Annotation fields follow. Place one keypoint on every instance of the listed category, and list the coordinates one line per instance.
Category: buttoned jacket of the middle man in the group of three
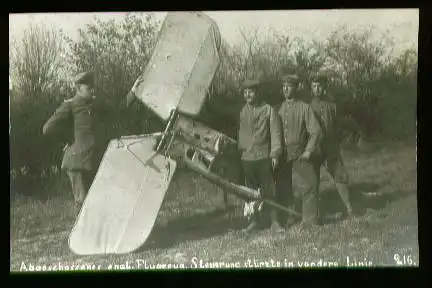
(301, 129)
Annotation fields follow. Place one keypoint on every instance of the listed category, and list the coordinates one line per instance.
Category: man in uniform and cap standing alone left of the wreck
(78, 159)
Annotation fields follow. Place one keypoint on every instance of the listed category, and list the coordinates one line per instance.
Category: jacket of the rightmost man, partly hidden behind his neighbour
(327, 116)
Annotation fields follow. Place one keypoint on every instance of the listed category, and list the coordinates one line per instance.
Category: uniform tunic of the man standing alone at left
(80, 154)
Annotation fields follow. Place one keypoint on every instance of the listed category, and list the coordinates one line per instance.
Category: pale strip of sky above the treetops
(402, 24)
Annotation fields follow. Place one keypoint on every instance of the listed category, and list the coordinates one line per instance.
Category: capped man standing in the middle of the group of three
(301, 135)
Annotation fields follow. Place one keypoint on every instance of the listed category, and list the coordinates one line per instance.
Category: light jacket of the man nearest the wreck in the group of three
(260, 133)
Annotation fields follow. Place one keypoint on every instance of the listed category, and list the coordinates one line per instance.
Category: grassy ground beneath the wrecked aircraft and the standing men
(194, 228)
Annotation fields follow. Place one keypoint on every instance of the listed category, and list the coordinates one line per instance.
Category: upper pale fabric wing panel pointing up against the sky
(182, 65)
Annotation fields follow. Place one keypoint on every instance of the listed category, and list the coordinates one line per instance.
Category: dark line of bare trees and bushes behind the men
(375, 91)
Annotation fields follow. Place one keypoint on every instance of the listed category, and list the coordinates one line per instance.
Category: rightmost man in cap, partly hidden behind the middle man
(331, 158)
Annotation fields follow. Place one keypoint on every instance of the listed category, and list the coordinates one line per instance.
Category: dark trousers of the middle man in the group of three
(306, 200)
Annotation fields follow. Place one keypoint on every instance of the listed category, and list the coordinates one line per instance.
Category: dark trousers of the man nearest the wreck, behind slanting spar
(259, 175)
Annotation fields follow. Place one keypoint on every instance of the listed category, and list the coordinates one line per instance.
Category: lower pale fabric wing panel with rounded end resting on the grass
(123, 202)
